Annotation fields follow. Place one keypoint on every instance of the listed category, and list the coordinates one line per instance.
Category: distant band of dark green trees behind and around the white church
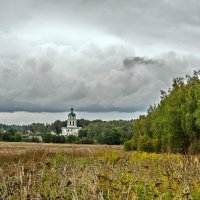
(92, 132)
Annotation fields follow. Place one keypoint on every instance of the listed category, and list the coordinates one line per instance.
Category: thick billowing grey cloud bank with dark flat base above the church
(53, 78)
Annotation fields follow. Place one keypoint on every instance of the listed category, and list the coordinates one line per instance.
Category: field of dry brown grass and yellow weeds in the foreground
(50, 171)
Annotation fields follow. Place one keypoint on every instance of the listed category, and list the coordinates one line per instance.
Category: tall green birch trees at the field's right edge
(174, 124)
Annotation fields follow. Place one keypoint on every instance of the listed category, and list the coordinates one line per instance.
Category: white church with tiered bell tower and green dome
(71, 128)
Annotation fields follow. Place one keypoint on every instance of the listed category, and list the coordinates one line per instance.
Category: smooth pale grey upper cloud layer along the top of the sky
(173, 24)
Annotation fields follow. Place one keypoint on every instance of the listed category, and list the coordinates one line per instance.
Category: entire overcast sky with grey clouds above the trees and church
(108, 59)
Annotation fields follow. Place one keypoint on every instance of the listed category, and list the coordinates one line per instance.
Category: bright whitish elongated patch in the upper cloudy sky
(65, 35)
